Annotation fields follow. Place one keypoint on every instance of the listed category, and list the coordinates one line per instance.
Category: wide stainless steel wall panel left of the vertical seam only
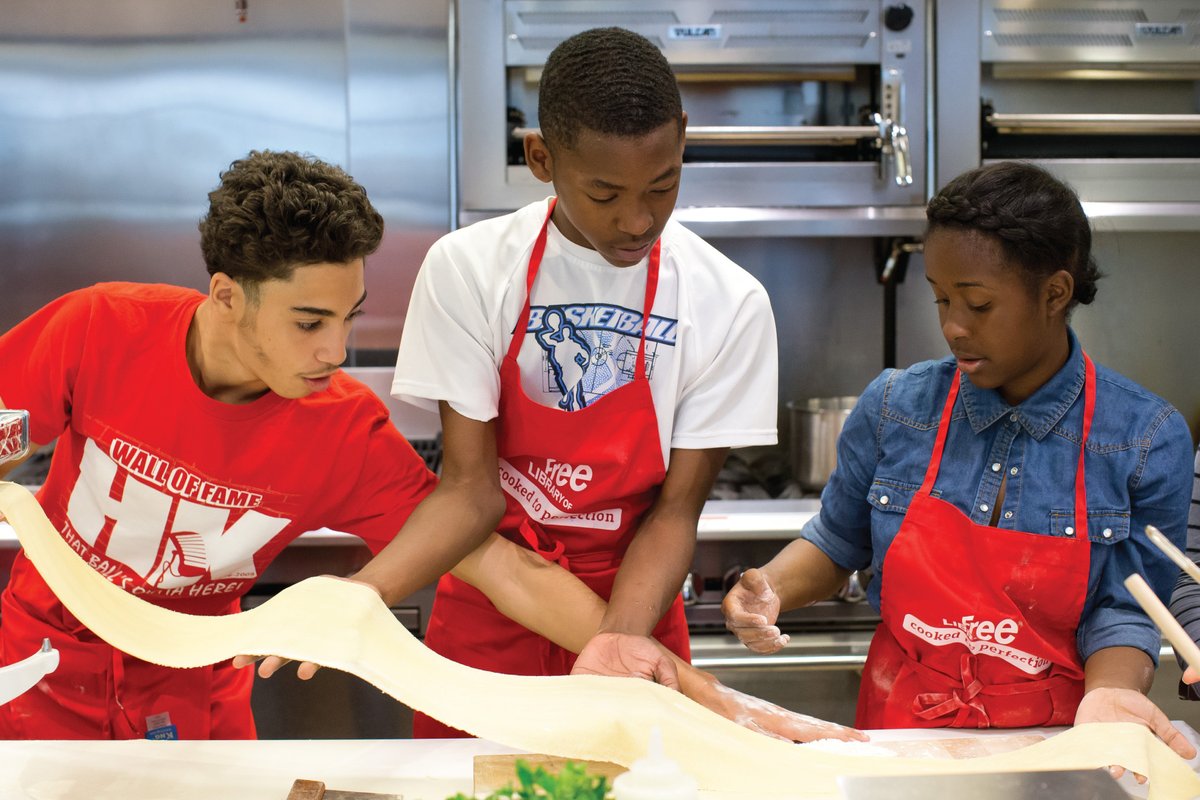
(116, 121)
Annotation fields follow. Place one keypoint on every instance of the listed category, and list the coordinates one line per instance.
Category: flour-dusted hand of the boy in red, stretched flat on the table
(761, 717)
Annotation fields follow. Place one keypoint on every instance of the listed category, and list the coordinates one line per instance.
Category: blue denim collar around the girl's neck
(1042, 411)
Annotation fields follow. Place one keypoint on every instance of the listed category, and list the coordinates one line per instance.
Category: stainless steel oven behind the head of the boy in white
(790, 103)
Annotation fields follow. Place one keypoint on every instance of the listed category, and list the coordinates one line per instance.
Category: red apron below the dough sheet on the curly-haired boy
(99, 693)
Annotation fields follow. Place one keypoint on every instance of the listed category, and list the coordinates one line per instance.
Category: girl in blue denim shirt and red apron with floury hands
(1000, 495)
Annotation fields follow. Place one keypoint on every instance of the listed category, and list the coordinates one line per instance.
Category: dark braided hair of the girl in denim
(1037, 220)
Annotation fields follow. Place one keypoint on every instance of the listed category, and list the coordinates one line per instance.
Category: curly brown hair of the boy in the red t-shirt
(275, 212)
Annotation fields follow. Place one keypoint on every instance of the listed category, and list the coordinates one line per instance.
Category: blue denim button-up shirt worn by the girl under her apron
(1138, 472)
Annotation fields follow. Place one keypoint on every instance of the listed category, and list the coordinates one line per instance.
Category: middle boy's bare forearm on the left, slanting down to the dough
(452, 522)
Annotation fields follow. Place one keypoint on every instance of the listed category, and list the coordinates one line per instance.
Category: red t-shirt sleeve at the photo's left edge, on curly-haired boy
(40, 360)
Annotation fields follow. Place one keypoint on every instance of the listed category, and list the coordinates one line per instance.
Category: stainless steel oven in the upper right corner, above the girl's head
(1105, 94)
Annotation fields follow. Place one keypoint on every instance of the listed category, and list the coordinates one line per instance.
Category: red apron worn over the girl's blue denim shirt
(979, 624)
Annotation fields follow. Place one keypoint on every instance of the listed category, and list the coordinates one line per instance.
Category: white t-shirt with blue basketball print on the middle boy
(711, 347)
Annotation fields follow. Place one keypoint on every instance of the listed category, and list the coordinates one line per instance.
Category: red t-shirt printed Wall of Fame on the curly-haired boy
(175, 496)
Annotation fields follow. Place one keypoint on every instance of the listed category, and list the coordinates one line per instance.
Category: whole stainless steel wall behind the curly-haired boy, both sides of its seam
(117, 118)
